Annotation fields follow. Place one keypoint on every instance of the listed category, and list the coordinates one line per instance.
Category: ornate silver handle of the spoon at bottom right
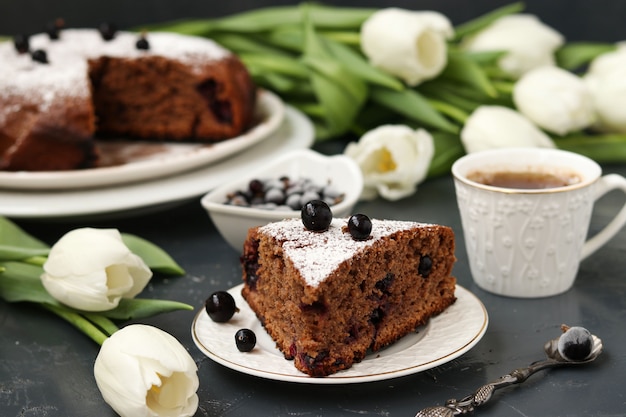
(466, 405)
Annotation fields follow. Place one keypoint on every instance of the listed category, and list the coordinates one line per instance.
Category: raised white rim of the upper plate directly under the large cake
(269, 105)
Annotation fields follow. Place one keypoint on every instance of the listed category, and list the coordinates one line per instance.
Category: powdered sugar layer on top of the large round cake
(66, 73)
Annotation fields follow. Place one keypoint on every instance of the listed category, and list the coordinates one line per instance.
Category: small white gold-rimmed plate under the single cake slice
(444, 338)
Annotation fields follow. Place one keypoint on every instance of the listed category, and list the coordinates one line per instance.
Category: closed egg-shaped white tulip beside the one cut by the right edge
(554, 99)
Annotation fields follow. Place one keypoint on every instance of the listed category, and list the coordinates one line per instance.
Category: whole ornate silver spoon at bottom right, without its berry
(483, 394)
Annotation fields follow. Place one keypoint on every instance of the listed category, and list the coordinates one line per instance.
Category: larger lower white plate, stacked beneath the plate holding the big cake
(296, 132)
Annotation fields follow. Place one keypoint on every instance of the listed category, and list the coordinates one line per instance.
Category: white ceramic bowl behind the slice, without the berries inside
(233, 222)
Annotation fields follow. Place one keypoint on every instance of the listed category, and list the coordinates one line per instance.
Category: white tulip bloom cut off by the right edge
(606, 80)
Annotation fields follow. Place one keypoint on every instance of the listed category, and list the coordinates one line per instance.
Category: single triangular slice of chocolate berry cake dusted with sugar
(327, 299)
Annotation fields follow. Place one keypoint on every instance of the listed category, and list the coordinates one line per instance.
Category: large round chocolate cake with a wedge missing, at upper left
(56, 94)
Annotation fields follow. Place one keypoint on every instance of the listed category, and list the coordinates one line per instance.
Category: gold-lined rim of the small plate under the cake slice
(461, 293)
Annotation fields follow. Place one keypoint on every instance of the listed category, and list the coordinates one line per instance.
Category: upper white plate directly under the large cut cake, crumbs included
(127, 161)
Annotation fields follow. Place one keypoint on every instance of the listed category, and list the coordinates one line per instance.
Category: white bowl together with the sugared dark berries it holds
(280, 189)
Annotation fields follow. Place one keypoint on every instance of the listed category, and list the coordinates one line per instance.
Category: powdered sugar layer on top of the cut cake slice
(318, 254)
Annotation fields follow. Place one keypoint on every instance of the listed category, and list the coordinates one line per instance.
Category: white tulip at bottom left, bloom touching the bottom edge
(142, 371)
